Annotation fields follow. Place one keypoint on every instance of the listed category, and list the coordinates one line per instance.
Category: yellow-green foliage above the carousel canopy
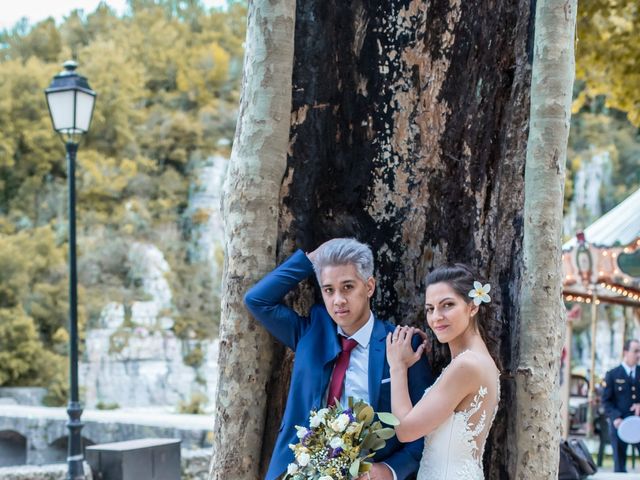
(607, 99)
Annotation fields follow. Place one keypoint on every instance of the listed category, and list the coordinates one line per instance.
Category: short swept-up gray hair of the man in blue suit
(345, 251)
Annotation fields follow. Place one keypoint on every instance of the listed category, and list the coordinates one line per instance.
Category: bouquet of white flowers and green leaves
(339, 442)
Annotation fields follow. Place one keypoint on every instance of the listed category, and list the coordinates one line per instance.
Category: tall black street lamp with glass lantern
(71, 101)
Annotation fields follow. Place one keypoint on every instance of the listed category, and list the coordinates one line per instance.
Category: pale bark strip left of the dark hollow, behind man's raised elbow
(257, 164)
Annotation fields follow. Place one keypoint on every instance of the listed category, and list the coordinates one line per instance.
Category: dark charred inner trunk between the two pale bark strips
(409, 132)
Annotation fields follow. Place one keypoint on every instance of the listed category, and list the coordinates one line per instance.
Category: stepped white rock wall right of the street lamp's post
(144, 364)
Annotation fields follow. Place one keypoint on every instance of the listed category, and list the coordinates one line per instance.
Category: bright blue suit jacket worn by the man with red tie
(315, 342)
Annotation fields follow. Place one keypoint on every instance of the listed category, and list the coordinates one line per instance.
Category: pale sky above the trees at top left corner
(35, 10)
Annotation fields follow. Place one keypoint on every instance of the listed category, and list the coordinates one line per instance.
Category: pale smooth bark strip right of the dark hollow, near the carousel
(543, 315)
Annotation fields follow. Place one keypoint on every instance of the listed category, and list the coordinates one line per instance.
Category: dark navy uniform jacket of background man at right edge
(620, 392)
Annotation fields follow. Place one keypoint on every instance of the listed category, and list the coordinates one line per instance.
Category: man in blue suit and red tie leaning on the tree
(339, 347)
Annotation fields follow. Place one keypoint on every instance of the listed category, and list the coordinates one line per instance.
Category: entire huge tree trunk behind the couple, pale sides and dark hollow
(407, 130)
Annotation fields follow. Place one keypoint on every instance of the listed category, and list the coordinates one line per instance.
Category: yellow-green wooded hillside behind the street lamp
(167, 77)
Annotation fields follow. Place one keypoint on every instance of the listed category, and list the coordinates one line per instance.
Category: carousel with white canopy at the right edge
(601, 266)
